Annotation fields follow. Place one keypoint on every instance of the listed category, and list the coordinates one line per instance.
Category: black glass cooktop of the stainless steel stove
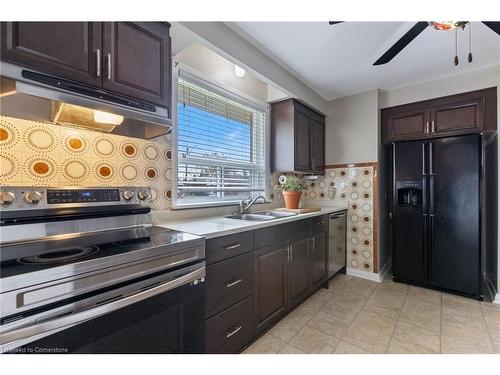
(41, 255)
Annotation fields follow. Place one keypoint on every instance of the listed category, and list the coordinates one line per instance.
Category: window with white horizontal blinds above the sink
(221, 152)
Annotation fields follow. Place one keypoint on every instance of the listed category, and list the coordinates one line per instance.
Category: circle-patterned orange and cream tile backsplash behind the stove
(40, 154)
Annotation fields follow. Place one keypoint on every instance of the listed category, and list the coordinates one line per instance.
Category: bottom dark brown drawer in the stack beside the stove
(232, 329)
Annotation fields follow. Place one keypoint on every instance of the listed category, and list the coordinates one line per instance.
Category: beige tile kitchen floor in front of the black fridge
(360, 316)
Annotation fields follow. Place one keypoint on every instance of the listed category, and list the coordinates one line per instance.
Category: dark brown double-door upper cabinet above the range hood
(127, 58)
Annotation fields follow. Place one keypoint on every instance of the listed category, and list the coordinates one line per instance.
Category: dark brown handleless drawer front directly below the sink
(281, 233)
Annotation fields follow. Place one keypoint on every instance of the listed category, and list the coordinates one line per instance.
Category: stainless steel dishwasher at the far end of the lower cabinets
(336, 242)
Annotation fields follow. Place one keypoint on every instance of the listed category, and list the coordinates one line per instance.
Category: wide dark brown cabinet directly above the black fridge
(471, 112)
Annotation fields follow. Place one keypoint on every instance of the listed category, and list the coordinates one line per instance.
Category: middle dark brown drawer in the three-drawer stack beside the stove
(228, 282)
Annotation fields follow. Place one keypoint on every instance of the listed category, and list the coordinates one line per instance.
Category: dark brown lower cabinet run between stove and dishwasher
(255, 278)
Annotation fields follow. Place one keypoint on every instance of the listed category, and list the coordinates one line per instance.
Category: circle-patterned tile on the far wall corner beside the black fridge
(353, 185)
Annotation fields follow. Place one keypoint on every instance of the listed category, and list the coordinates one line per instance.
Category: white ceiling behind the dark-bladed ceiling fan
(337, 61)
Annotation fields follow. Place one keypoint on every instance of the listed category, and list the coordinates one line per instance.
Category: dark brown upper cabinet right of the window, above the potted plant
(298, 138)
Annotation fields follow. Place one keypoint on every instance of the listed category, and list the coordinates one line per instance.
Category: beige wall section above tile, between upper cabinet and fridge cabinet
(352, 129)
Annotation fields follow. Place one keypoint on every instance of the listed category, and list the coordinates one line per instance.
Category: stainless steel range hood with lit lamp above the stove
(30, 95)
